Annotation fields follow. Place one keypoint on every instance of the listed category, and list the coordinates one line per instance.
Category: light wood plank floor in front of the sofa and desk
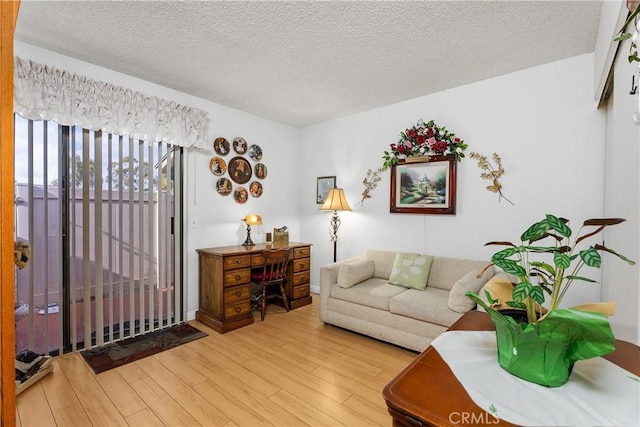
(290, 370)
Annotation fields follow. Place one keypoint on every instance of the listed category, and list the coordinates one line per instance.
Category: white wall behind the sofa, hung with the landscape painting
(543, 123)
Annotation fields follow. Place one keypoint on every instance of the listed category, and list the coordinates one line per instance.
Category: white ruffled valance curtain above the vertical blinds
(43, 92)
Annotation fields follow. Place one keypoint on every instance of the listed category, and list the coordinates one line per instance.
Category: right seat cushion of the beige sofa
(430, 305)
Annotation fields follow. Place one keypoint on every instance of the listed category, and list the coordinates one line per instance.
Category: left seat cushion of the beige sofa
(374, 293)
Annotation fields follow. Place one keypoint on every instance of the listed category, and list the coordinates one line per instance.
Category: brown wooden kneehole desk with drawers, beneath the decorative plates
(224, 276)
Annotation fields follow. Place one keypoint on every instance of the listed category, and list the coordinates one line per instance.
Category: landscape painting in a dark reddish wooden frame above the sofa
(424, 185)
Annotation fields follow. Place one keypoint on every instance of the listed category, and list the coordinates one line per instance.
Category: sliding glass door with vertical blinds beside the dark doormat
(102, 214)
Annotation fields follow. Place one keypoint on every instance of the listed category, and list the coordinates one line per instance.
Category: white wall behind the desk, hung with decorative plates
(217, 218)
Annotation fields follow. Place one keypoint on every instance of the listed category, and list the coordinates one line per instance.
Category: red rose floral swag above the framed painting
(424, 139)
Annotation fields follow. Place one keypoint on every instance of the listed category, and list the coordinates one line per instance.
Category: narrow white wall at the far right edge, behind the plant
(622, 199)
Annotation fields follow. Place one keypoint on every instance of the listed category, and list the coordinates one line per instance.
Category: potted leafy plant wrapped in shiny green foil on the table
(543, 348)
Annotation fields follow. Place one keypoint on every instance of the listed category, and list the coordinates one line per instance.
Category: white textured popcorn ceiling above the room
(301, 63)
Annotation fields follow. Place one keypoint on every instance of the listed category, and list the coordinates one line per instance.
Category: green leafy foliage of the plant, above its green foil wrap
(560, 266)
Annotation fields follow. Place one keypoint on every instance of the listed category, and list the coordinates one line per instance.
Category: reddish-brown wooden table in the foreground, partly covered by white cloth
(427, 393)
